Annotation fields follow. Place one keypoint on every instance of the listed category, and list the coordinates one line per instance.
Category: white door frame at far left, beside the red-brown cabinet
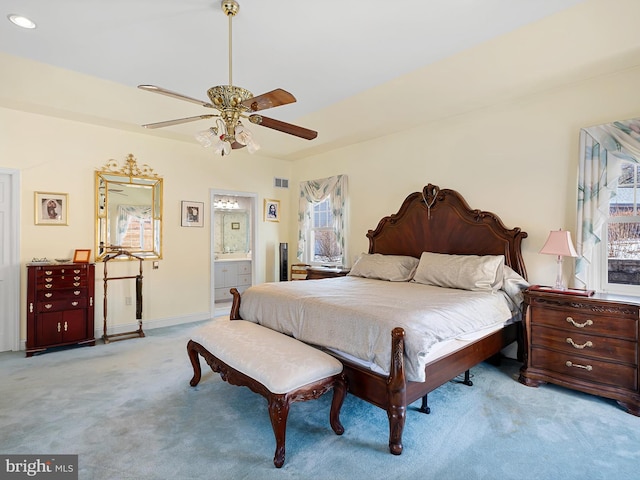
(13, 288)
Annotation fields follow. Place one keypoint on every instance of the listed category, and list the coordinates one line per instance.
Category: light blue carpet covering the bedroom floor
(128, 411)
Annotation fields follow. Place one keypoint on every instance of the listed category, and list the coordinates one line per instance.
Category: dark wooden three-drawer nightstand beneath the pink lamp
(588, 344)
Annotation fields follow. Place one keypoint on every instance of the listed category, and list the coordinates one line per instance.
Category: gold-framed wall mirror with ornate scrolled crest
(128, 210)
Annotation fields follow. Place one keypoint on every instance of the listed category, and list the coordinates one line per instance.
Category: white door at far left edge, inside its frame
(9, 265)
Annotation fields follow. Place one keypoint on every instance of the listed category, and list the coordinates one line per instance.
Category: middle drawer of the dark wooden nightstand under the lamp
(574, 343)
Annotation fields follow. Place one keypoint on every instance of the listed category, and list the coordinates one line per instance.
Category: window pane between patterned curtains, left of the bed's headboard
(323, 239)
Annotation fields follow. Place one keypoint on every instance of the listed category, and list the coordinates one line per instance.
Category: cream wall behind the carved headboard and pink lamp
(518, 159)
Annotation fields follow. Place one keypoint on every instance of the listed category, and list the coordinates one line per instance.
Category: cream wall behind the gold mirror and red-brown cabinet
(57, 155)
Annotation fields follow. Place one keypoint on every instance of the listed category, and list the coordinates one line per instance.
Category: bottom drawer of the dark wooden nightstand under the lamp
(588, 369)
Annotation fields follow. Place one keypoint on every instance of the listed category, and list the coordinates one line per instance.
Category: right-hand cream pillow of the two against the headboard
(466, 272)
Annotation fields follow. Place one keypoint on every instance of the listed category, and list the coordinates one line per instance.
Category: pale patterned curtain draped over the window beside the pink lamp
(602, 150)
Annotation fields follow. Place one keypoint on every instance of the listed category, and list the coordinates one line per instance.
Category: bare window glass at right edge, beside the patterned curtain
(623, 231)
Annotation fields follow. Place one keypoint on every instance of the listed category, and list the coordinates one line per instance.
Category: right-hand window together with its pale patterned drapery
(608, 218)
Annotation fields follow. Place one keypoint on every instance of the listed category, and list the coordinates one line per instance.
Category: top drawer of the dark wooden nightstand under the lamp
(586, 322)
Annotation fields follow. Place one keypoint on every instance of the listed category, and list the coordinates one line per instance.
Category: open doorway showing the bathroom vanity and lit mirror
(233, 232)
